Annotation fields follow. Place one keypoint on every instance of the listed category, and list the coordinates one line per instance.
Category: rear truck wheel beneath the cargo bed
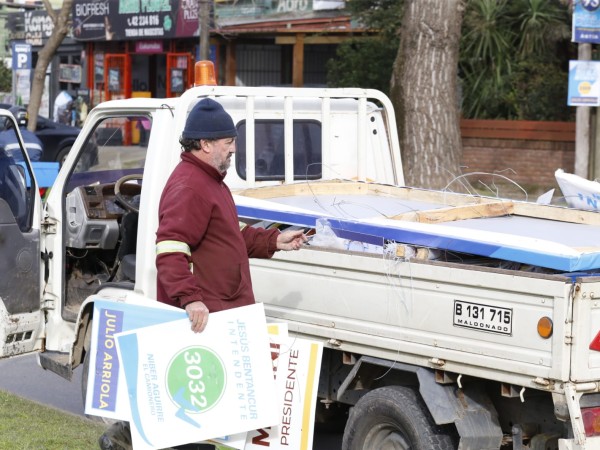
(395, 418)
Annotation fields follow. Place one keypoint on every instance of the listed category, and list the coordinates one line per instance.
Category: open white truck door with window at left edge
(20, 214)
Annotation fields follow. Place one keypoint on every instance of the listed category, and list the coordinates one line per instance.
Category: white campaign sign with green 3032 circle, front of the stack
(188, 387)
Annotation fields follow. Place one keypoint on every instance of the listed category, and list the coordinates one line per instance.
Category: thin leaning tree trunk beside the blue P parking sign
(60, 30)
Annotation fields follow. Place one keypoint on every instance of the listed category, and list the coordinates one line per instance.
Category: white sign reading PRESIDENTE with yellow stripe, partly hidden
(297, 378)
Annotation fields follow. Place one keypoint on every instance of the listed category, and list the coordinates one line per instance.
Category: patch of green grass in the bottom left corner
(27, 425)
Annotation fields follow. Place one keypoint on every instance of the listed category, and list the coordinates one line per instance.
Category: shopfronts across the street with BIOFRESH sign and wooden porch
(147, 48)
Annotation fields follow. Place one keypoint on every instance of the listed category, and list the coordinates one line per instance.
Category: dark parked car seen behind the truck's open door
(57, 138)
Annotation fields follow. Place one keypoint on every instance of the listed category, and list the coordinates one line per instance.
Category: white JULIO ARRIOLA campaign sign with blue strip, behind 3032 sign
(106, 389)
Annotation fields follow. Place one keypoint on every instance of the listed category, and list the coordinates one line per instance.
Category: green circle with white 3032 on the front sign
(196, 379)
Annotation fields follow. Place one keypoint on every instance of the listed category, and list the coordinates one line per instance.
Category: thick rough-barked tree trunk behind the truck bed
(424, 89)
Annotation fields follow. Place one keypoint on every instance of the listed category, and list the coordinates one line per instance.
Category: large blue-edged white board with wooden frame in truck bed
(545, 236)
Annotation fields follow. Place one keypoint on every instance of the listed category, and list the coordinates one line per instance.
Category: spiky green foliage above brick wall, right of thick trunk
(509, 59)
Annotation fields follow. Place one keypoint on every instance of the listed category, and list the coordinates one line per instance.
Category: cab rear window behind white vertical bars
(269, 142)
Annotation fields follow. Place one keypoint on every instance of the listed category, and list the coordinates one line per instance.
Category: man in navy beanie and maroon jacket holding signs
(202, 250)
